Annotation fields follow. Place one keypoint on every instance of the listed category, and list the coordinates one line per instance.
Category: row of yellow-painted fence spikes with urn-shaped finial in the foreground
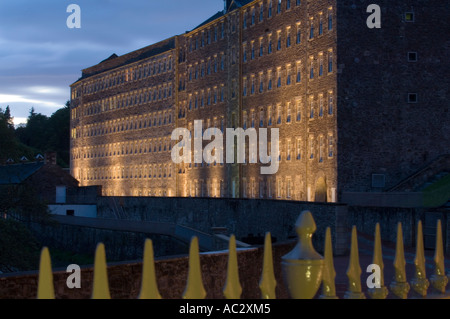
(304, 270)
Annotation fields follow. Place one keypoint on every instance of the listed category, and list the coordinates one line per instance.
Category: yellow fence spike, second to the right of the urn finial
(354, 271)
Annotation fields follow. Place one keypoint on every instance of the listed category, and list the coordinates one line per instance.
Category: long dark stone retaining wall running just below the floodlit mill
(241, 217)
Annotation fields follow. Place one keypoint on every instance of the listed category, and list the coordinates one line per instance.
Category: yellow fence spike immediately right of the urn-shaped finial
(329, 273)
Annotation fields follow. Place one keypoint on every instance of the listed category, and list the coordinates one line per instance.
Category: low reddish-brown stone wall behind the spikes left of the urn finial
(171, 274)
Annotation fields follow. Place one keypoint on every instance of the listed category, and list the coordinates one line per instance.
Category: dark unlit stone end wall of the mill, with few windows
(379, 131)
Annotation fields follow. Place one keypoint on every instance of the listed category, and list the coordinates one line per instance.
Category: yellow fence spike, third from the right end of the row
(400, 287)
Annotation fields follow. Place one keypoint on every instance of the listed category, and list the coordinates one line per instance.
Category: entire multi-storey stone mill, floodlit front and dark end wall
(341, 95)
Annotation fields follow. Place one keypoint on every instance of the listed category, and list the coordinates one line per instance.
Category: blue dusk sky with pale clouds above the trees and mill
(40, 56)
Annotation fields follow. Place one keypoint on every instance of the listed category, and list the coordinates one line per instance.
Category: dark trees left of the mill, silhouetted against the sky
(39, 135)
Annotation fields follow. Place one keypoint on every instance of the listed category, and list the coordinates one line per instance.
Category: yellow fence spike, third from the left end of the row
(149, 286)
